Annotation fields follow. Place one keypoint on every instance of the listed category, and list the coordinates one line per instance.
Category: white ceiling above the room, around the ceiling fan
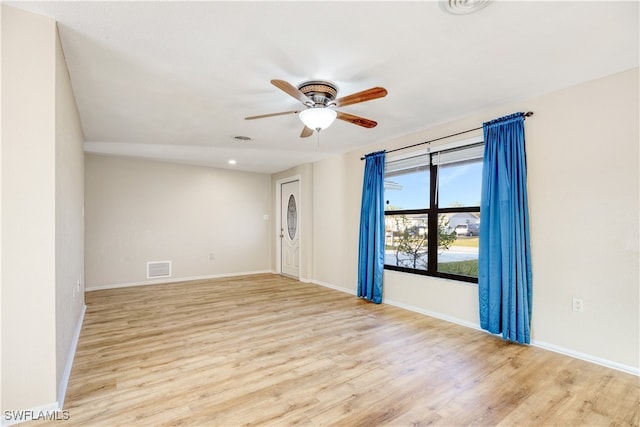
(174, 80)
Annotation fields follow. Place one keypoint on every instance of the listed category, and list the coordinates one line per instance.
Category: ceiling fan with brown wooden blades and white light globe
(319, 98)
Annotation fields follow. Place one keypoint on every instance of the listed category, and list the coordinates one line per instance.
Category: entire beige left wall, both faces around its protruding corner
(41, 228)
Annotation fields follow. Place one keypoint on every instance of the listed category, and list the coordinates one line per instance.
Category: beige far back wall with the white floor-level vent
(138, 211)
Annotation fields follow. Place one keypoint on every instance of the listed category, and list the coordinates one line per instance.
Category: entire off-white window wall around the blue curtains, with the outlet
(582, 149)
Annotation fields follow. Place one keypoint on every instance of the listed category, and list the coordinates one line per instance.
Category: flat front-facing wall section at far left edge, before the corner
(28, 210)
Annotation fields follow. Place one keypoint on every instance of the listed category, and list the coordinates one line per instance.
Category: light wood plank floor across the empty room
(268, 350)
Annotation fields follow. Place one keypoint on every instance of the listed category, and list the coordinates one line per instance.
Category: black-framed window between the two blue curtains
(432, 213)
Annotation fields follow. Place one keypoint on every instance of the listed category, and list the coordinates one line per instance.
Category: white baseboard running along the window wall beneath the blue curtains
(551, 347)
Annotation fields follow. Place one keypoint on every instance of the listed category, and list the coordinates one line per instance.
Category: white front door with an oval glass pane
(290, 228)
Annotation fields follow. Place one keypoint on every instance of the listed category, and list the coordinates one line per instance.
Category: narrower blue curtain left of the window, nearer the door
(371, 250)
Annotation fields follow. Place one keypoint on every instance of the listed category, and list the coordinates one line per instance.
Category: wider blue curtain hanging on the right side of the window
(504, 264)
